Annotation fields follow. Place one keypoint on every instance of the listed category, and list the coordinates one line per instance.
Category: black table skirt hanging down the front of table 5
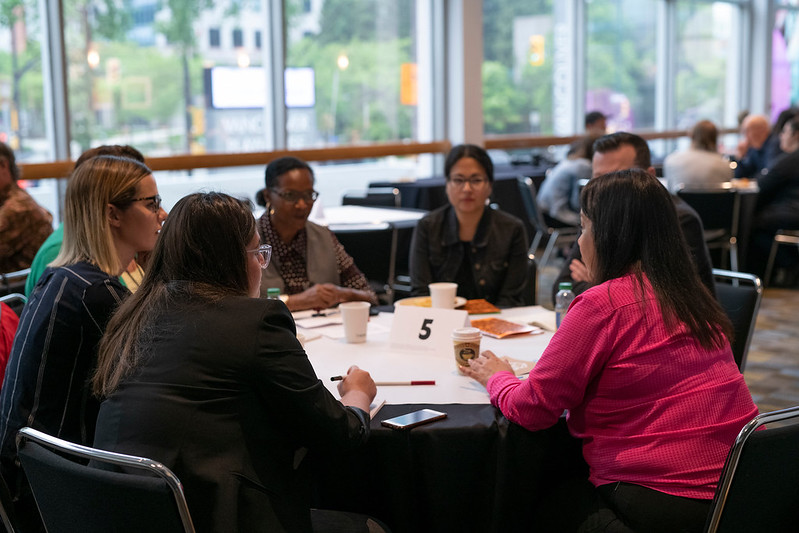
(473, 471)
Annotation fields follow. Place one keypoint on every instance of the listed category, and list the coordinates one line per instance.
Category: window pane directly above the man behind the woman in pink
(621, 61)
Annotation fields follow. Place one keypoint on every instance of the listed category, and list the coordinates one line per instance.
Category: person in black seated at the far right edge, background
(777, 201)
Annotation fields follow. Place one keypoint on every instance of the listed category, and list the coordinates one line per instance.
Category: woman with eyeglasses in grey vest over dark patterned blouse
(308, 264)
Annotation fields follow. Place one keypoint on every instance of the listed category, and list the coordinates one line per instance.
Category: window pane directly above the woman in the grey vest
(359, 56)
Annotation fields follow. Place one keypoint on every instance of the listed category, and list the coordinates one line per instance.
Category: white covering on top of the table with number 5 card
(331, 356)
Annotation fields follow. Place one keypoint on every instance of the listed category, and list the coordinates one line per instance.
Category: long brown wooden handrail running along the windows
(60, 169)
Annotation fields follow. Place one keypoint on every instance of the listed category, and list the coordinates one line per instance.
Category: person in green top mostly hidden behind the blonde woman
(52, 245)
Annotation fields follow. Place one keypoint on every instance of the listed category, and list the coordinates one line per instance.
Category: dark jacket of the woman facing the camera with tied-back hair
(498, 255)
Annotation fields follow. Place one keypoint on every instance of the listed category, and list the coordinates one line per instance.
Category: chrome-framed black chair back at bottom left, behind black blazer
(113, 492)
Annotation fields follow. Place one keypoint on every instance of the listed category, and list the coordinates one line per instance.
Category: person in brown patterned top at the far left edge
(24, 224)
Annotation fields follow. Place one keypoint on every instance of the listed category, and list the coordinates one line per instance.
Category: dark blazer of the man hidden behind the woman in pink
(692, 230)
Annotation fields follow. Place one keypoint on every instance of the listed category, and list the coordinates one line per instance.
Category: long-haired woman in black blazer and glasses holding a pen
(203, 376)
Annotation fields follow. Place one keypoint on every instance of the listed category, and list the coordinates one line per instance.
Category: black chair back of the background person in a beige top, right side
(719, 209)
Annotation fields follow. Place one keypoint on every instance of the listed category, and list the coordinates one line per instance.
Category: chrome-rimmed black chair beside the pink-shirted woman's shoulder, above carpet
(739, 295)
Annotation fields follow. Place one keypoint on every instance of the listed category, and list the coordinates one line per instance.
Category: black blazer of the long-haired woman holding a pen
(227, 399)
